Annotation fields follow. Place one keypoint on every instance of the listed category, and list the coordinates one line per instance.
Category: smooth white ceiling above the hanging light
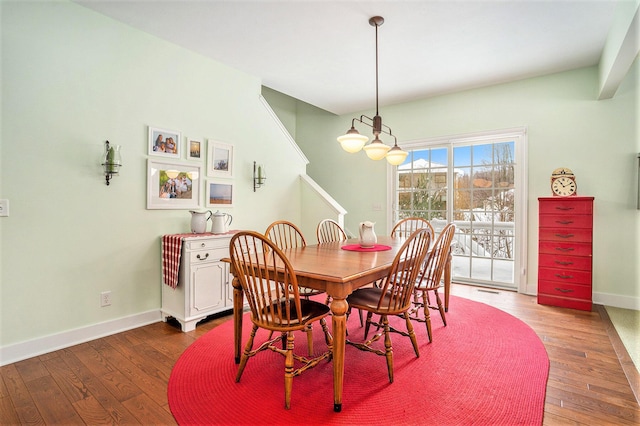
(323, 52)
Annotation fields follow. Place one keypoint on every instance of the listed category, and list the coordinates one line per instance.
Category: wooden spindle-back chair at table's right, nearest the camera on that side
(393, 297)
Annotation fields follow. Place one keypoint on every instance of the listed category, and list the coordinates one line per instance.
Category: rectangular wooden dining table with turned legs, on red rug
(337, 271)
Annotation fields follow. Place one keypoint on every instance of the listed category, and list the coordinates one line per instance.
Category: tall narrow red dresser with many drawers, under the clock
(565, 251)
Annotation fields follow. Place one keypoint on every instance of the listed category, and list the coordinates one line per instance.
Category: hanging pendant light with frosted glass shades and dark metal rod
(353, 141)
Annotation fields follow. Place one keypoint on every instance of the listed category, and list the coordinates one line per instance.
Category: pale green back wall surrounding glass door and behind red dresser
(567, 126)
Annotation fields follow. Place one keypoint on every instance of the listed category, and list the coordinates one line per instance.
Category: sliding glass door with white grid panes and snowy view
(476, 183)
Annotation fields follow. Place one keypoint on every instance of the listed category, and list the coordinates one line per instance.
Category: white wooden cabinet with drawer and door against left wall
(204, 282)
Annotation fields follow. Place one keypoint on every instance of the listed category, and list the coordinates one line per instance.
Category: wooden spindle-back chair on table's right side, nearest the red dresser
(430, 279)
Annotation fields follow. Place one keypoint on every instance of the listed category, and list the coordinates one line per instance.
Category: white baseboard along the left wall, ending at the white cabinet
(28, 349)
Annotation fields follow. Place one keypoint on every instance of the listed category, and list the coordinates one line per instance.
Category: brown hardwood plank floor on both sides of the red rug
(123, 378)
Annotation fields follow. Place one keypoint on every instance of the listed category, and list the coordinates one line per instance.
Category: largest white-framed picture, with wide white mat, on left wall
(173, 185)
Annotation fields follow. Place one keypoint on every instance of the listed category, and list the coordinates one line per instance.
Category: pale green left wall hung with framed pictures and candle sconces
(71, 79)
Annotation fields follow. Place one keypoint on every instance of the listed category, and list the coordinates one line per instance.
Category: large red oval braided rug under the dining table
(485, 367)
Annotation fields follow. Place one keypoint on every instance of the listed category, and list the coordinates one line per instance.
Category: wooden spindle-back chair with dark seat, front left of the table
(274, 307)
